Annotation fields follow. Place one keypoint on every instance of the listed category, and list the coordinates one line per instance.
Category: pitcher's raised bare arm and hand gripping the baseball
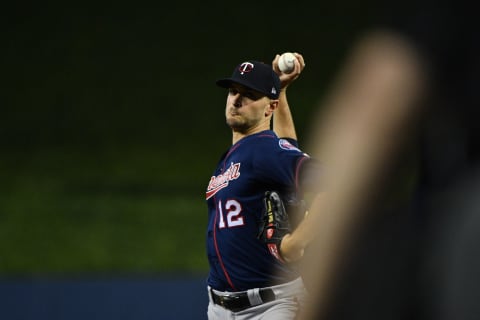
(283, 124)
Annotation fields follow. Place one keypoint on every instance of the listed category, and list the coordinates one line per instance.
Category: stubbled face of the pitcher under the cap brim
(247, 109)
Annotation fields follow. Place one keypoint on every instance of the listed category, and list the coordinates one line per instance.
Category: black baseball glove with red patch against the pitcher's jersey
(275, 223)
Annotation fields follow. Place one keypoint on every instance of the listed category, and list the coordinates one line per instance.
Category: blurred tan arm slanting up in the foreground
(366, 121)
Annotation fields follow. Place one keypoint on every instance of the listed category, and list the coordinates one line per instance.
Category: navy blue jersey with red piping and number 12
(252, 166)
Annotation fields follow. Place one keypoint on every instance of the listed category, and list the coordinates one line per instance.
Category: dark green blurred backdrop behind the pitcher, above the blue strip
(110, 123)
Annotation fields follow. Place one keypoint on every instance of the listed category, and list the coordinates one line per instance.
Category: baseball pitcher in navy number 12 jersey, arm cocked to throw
(256, 182)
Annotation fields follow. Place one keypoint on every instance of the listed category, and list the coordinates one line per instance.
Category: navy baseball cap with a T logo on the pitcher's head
(255, 75)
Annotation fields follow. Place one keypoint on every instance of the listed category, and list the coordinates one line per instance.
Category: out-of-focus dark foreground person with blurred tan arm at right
(398, 232)
